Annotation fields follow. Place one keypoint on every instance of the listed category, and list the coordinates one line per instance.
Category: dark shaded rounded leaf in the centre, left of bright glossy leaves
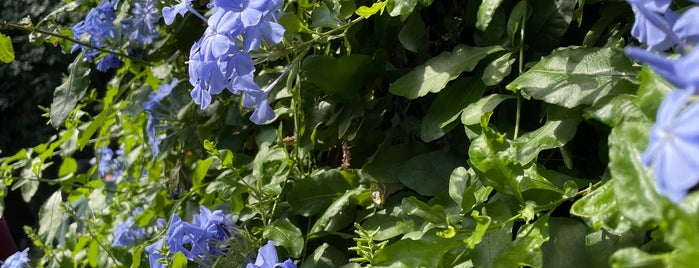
(428, 174)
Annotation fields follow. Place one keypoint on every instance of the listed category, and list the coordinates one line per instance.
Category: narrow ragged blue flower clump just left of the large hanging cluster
(158, 113)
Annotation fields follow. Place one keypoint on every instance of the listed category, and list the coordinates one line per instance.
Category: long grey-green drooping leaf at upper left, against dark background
(71, 91)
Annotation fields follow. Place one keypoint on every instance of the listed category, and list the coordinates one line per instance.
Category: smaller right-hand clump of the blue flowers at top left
(142, 26)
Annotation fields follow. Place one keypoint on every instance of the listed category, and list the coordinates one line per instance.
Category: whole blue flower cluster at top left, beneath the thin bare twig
(101, 29)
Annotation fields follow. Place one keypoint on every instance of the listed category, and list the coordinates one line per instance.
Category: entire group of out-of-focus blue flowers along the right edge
(673, 149)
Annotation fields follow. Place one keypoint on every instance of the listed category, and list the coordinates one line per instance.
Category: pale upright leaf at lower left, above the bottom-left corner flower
(50, 217)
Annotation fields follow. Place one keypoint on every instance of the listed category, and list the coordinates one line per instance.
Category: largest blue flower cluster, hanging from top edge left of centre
(220, 59)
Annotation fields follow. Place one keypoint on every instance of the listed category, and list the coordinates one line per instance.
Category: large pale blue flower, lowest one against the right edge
(673, 149)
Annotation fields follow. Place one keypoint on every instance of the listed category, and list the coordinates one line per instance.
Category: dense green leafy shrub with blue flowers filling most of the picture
(397, 133)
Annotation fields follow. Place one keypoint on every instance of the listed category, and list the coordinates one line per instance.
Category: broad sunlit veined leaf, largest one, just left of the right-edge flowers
(575, 76)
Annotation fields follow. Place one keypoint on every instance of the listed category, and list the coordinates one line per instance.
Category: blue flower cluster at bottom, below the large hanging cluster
(199, 241)
